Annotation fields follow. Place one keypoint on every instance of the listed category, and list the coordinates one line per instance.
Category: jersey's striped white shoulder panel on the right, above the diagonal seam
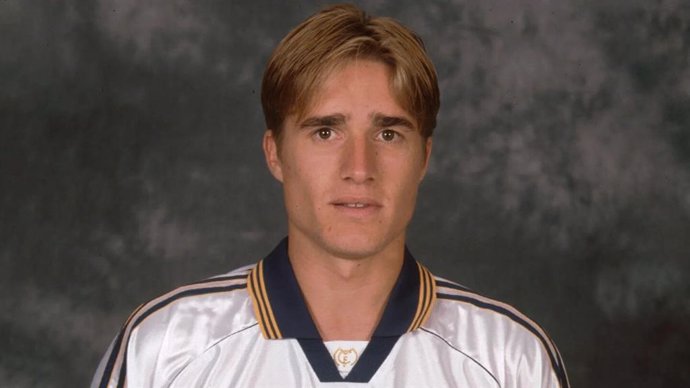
(494, 333)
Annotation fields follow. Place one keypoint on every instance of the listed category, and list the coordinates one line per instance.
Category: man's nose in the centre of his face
(358, 160)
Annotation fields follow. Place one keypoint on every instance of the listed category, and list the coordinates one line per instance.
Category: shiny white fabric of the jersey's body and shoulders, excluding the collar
(191, 338)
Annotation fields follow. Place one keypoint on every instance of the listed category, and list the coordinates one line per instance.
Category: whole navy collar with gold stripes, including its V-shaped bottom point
(281, 311)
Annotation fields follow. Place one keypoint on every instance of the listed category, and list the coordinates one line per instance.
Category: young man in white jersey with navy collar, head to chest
(350, 105)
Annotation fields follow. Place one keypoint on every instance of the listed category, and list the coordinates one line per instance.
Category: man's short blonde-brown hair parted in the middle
(333, 37)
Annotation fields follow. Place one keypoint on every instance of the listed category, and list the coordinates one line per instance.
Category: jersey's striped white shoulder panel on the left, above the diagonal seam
(179, 325)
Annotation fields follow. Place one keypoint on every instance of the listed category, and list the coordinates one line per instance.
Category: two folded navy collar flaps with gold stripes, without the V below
(281, 310)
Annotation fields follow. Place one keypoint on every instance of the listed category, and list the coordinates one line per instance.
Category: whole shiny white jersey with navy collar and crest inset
(251, 328)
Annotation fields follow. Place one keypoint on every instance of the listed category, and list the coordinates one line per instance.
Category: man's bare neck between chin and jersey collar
(346, 297)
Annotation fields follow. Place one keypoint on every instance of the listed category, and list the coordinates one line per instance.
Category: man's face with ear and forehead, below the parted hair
(352, 166)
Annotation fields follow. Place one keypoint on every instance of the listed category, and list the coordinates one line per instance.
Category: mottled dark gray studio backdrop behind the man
(130, 163)
